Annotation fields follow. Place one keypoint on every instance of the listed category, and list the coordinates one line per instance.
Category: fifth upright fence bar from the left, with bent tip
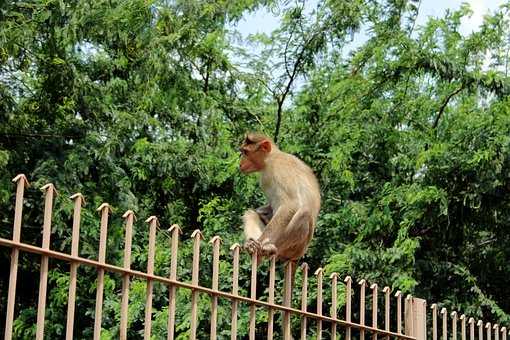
(129, 216)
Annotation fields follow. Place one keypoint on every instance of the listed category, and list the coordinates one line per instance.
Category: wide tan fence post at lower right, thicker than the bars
(416, 317)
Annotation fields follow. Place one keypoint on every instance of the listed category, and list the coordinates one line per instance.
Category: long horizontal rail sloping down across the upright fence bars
(205, 290)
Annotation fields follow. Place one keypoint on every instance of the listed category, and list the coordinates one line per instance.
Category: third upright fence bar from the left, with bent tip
(75, 239)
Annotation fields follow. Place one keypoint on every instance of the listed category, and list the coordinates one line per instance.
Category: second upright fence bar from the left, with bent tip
(49, 192)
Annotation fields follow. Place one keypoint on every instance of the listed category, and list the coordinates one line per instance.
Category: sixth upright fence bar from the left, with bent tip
(153, 222)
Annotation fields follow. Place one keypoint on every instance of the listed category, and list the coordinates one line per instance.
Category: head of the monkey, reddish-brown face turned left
(254, 151)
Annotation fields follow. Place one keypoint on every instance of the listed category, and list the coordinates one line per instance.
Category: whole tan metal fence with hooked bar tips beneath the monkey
(413, 315)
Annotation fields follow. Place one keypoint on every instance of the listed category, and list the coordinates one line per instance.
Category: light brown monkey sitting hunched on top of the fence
(285, 226)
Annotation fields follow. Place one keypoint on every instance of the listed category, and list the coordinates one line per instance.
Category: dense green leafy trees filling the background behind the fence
(142, 104)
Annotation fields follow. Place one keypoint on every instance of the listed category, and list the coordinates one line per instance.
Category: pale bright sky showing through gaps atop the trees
(263, 21)
